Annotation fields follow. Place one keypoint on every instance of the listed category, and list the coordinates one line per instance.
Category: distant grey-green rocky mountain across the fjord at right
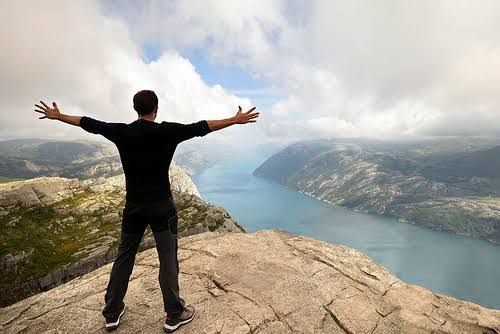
(448, 184)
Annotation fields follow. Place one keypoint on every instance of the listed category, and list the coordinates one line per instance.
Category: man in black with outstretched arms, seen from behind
(146, 149)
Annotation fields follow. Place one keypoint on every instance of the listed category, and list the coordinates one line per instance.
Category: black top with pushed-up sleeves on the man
(146, 149)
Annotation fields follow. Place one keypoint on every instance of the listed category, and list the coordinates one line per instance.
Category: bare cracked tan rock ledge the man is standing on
(265, 282)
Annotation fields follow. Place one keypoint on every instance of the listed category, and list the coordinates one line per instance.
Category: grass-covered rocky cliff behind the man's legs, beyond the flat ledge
(55, 229)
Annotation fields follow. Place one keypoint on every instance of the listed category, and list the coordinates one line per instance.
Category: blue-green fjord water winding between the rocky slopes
(459, 266)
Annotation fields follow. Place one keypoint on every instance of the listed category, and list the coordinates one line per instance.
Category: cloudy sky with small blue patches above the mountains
(313, 69)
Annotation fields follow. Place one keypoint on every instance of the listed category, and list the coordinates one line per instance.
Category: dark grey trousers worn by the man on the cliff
(161, 219)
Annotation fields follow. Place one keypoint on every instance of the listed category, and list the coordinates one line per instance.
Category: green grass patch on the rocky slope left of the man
(53, 240)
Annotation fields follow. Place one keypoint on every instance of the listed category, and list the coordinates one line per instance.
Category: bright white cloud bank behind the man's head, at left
(72, 53)
